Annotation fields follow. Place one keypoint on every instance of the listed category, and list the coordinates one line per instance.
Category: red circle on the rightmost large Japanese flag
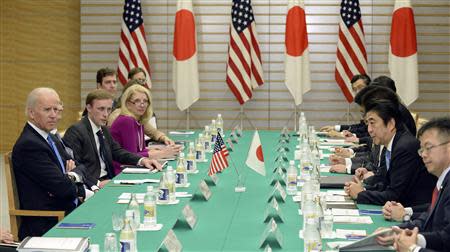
(403, 33)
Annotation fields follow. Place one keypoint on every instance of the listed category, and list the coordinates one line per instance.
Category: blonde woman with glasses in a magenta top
(128, 128)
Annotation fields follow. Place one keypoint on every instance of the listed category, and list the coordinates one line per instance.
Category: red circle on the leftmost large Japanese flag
(184, 36)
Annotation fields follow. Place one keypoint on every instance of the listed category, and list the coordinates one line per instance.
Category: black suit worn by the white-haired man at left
(40, 181)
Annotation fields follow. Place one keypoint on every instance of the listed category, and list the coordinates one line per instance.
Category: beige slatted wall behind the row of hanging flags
(272, 104)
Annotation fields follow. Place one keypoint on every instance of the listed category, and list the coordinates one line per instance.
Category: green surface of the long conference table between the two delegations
(228, 221)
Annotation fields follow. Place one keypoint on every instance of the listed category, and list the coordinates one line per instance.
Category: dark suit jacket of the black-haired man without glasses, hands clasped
(407, 180)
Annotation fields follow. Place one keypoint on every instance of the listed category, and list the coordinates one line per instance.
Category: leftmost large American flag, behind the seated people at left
(133, 45)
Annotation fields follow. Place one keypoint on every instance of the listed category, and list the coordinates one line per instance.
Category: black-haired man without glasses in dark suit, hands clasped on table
(407, 180)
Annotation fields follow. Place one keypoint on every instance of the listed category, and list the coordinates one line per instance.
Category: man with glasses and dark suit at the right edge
(434, 224)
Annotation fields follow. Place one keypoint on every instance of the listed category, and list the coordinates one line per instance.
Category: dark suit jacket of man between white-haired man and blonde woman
(81, 139)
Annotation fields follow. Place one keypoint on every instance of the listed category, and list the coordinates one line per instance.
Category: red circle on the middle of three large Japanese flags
(296, 35)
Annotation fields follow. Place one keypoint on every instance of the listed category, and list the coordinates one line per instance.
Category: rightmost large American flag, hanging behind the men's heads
(351, 52)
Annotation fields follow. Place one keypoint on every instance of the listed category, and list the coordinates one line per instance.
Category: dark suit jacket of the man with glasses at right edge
(434, 225)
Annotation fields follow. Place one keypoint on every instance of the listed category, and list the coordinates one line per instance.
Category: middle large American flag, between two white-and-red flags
(244, 68)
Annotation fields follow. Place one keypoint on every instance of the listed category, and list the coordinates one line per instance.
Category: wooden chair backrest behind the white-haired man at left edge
(13, 196)
